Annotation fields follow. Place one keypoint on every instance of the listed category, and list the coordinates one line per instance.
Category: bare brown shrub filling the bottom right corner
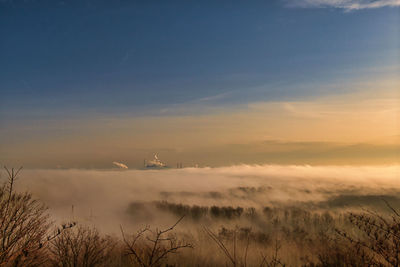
(370, 239)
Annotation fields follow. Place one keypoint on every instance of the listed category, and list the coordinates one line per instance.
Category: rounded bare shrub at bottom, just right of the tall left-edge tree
(81, 247)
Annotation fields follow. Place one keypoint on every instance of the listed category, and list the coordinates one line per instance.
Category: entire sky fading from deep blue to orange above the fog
(86, 83)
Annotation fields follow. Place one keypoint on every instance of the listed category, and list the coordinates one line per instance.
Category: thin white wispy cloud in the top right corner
(347, 5)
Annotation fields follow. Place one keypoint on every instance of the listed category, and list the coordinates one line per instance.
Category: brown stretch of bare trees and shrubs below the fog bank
(201, 236)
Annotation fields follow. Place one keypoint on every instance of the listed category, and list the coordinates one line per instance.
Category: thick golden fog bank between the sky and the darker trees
(104, 197)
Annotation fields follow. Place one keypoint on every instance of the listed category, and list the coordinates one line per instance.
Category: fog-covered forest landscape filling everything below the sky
(268, 215)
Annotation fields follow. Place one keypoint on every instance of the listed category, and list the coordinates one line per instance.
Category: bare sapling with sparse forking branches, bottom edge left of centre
(151, 249)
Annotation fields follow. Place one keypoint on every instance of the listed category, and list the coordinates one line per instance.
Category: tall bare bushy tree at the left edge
(23, 226)
